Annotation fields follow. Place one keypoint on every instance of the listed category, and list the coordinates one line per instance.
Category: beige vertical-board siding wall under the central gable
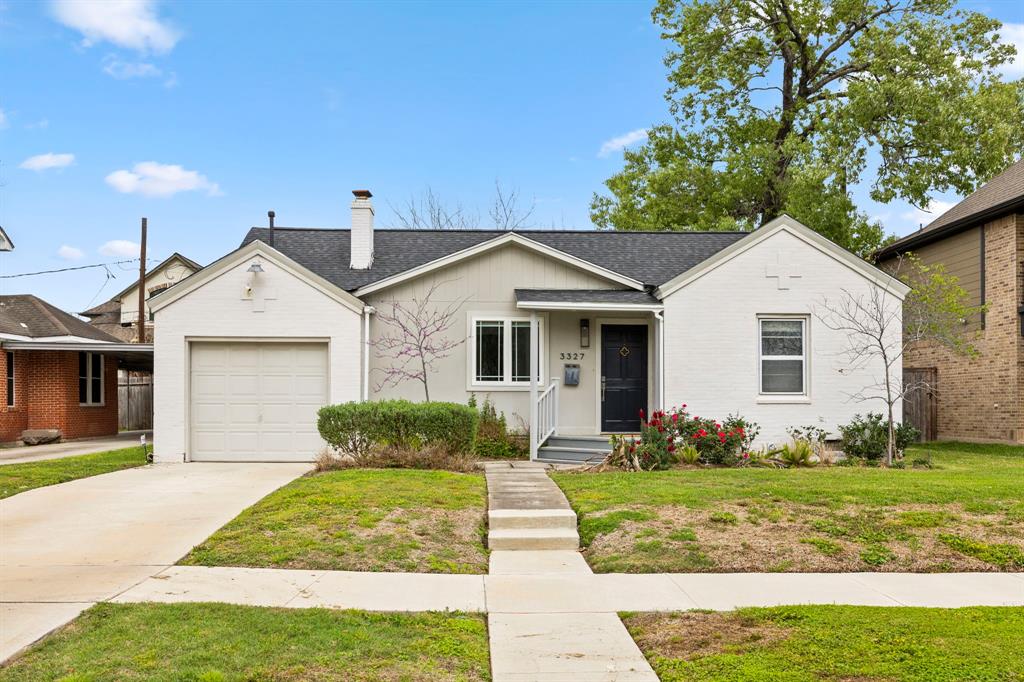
(487, 283)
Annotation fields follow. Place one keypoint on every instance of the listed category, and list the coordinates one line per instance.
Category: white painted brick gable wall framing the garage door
(217, 311)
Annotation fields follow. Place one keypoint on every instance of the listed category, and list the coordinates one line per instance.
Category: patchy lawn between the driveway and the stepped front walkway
(360, 520)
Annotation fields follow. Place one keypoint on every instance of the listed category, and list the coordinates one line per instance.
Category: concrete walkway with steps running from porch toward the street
(536, 632)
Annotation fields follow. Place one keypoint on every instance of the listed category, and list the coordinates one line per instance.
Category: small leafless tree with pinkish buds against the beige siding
(415, 338)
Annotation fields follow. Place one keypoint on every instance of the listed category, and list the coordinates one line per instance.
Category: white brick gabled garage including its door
(247, 351)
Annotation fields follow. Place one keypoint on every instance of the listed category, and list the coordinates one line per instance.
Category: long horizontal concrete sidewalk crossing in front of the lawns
(570, 592)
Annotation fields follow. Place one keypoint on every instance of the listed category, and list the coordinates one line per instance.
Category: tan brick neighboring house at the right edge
(982, 241)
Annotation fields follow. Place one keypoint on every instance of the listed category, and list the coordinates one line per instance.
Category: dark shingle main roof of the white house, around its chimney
(653, 259)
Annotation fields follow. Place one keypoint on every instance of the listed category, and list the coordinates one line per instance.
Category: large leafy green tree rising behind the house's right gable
(783, 106)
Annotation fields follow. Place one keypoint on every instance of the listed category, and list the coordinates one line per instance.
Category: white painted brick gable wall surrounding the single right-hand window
(712, 337)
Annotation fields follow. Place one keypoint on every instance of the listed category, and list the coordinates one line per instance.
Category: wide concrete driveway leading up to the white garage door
(65, 547)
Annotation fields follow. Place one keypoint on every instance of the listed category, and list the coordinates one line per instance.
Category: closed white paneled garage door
(257, 402)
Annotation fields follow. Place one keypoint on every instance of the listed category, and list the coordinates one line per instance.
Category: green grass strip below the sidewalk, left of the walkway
(222, 643)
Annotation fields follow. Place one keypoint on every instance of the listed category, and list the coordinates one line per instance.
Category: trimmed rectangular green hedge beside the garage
(357, 428)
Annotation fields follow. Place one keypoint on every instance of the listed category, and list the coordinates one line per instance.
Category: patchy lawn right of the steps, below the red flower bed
(966, 514)
